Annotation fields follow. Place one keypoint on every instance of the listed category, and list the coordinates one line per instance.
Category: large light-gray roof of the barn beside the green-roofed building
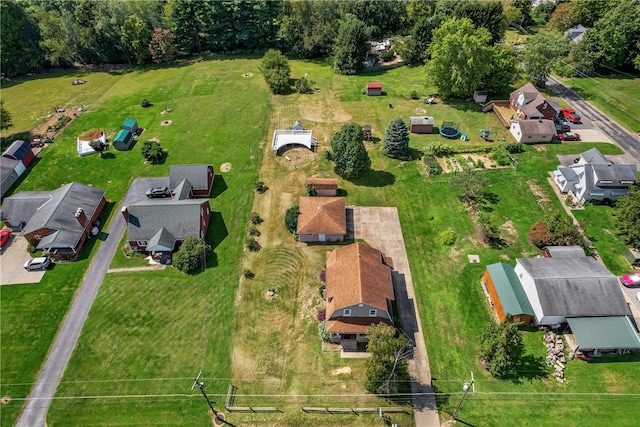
(573, 287)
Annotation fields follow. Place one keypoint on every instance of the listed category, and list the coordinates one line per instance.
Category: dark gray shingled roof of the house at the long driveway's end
(181, 218)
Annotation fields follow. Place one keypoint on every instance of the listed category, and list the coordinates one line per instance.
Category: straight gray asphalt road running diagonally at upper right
(626, 140)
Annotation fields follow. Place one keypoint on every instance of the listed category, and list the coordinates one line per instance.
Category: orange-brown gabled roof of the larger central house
(356, 274)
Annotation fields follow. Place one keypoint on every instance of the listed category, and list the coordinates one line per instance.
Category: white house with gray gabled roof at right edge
(594, 177)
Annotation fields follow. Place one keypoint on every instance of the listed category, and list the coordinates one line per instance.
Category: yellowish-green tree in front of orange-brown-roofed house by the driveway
(387, 366)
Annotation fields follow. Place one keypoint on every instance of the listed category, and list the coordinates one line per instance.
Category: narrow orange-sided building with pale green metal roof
(506, 293)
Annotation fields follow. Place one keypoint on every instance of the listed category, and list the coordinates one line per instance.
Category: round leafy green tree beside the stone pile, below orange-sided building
(501, 347)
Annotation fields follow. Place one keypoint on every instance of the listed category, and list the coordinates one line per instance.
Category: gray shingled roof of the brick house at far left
(55, 210)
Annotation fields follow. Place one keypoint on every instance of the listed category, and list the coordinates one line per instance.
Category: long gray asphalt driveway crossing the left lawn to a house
(34, 414)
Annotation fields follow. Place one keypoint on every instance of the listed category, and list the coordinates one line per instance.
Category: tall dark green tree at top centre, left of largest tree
(350, 47)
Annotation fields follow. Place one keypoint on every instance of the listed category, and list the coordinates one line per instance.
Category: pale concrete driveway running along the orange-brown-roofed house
(380, 228)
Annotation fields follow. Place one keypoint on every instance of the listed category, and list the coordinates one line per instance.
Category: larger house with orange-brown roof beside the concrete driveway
(358, 292)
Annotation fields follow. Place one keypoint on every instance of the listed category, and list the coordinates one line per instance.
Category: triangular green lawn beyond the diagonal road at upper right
(618, 96)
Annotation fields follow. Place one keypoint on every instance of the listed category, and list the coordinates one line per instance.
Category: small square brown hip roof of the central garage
(322, 215)
